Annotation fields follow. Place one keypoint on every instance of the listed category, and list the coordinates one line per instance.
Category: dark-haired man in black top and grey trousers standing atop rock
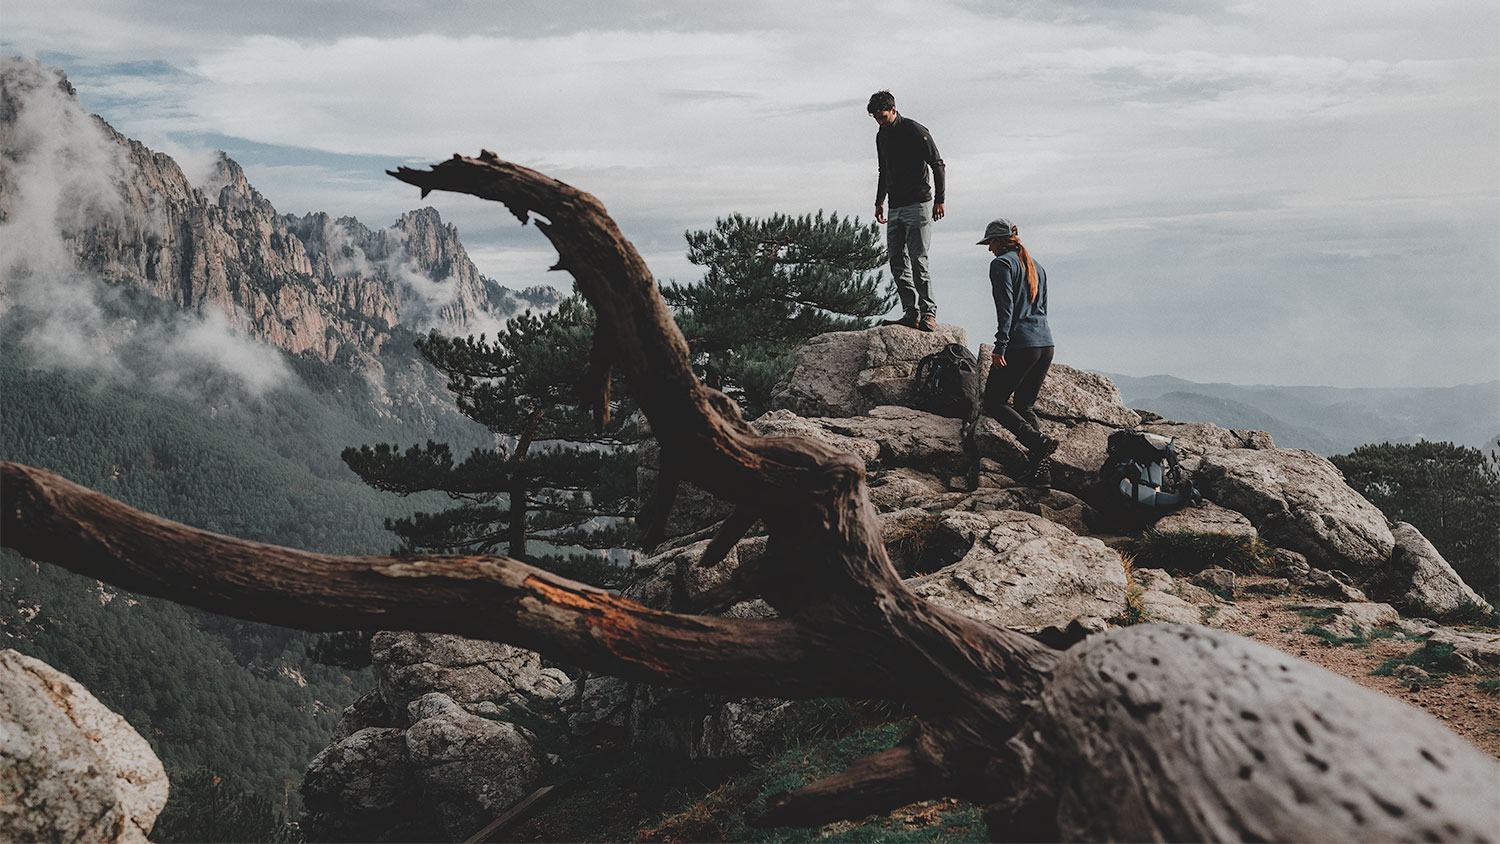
(905, 154)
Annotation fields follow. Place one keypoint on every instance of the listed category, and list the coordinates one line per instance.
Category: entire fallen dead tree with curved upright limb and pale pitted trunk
(1142, 734)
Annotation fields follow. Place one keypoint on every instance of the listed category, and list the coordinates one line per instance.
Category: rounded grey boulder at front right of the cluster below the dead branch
(472, 770)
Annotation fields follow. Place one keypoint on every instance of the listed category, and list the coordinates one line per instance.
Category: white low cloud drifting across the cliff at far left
(62, 179)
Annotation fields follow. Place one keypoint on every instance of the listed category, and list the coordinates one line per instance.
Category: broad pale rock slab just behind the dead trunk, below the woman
(1027, 572)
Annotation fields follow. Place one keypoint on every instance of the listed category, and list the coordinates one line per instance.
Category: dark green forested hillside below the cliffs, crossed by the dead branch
(244, 701)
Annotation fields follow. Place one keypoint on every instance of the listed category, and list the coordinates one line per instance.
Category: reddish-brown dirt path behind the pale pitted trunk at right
(1471, 711)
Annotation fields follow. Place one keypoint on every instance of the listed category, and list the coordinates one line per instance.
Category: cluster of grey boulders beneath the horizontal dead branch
(431, 753)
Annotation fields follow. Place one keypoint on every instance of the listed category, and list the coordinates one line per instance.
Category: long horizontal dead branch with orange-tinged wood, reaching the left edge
(52, 519)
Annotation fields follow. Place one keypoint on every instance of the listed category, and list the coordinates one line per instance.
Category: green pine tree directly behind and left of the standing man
(769, 287)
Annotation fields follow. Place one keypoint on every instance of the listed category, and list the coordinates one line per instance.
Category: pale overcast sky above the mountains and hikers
(1259, 193)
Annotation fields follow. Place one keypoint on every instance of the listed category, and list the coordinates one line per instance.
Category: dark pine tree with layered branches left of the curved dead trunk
(560, 476)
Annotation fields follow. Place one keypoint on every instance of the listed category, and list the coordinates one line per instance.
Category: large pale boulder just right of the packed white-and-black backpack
(1300, 501)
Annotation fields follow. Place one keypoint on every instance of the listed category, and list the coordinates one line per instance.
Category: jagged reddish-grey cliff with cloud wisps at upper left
(317, 286)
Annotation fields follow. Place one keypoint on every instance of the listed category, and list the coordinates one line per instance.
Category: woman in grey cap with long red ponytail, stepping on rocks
(1022, 343)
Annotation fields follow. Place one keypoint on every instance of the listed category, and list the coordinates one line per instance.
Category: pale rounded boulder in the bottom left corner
(70, 768)
